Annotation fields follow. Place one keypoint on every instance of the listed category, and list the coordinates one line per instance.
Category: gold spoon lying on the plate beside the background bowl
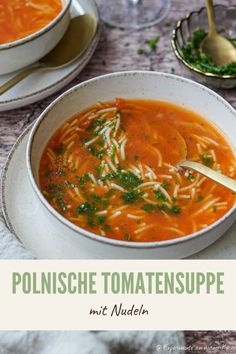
(75, 41)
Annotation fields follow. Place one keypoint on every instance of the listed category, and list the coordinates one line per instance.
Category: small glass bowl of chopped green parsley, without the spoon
(187, 37)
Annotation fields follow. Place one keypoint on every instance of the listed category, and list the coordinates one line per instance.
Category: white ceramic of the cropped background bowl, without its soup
(28, 50)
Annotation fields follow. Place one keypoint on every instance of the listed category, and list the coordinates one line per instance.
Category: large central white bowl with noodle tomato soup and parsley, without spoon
(102, 159)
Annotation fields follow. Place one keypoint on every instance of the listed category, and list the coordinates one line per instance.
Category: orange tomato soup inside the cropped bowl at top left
(20, 18)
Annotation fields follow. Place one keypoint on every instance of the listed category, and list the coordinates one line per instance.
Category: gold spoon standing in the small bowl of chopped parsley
(220, 49)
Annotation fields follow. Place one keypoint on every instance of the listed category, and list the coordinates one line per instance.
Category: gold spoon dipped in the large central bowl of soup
(218, 177)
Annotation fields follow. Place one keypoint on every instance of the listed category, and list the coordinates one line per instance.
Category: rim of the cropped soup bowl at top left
(41, 31)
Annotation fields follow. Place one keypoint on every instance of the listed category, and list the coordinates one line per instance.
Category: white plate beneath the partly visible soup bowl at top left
(41, 85)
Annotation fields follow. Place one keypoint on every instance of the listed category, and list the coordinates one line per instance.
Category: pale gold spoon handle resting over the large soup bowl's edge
(208, 172)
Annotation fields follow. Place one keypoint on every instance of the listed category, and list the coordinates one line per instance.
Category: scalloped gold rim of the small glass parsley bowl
(181, 58)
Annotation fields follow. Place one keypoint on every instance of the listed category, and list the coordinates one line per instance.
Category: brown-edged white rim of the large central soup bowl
(93, 236)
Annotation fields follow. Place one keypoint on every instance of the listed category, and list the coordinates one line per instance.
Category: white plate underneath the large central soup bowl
(24, 215)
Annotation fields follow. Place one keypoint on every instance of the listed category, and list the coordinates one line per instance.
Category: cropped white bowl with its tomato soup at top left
(29, 29)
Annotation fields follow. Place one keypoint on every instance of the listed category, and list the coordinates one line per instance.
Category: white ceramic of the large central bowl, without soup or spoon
(135, 84)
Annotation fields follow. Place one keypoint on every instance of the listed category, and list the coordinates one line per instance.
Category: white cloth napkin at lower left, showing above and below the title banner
(80, 342)
